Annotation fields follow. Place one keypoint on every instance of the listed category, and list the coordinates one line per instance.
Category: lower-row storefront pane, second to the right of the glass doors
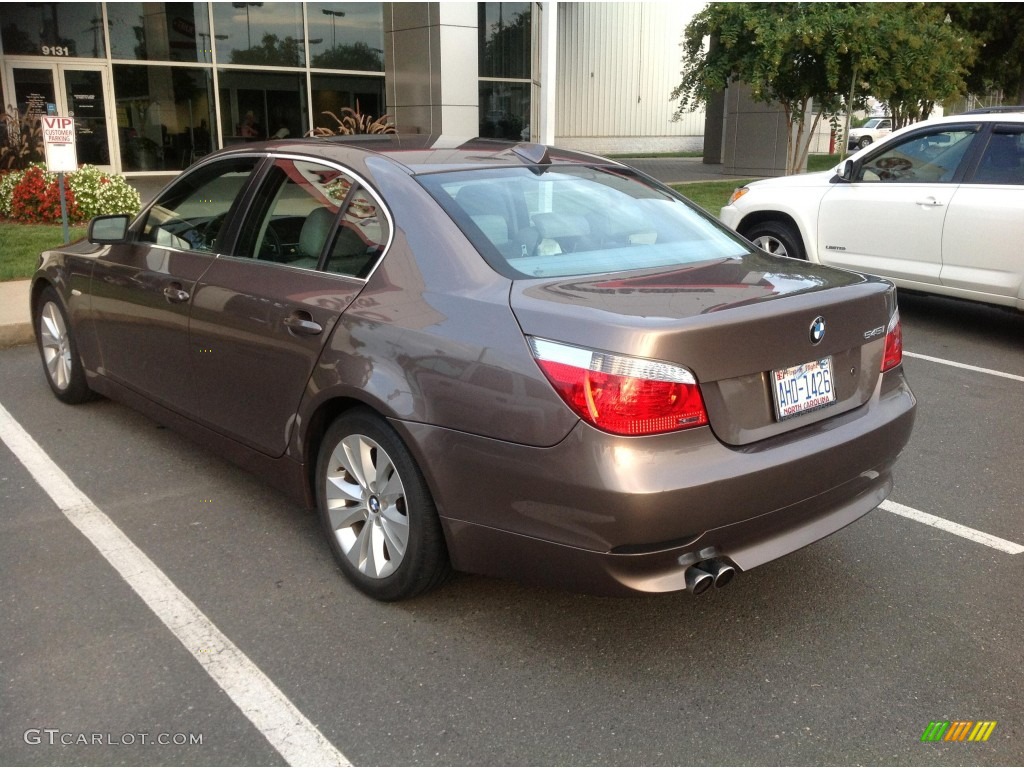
(258, 105)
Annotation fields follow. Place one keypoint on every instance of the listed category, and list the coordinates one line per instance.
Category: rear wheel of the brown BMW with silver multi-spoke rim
(377, 511)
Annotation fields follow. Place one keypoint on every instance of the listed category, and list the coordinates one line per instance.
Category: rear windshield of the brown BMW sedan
(572, 221)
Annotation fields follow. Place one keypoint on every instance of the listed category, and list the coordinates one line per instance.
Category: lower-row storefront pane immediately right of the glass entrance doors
(164, 116)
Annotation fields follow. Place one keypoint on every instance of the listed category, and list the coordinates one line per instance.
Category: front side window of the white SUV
(923, 158)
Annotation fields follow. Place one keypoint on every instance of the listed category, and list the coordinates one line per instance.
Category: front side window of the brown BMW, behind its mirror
(191, 215)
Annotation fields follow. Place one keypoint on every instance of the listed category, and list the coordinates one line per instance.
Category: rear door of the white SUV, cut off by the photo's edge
(985, 228)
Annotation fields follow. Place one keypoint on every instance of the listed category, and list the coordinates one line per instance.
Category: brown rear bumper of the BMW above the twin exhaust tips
(613, 516)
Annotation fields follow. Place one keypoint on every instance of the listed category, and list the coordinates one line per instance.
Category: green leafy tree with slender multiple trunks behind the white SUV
(832, 55)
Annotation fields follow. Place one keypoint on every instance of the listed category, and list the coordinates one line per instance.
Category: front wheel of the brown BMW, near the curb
(58, 348)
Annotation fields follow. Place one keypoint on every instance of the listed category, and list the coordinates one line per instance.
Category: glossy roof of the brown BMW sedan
(428, 154)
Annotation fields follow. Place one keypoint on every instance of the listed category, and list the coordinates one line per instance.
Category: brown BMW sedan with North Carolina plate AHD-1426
(497, 359)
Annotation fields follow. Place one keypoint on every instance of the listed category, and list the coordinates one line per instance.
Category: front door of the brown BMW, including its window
(142, 290)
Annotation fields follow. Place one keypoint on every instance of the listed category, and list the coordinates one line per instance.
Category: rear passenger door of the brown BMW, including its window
(262, 317)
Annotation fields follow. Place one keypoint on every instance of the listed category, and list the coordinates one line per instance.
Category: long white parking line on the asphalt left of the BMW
(288, 731)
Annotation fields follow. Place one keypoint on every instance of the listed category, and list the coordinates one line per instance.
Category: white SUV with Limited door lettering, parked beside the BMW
(935, 207)
